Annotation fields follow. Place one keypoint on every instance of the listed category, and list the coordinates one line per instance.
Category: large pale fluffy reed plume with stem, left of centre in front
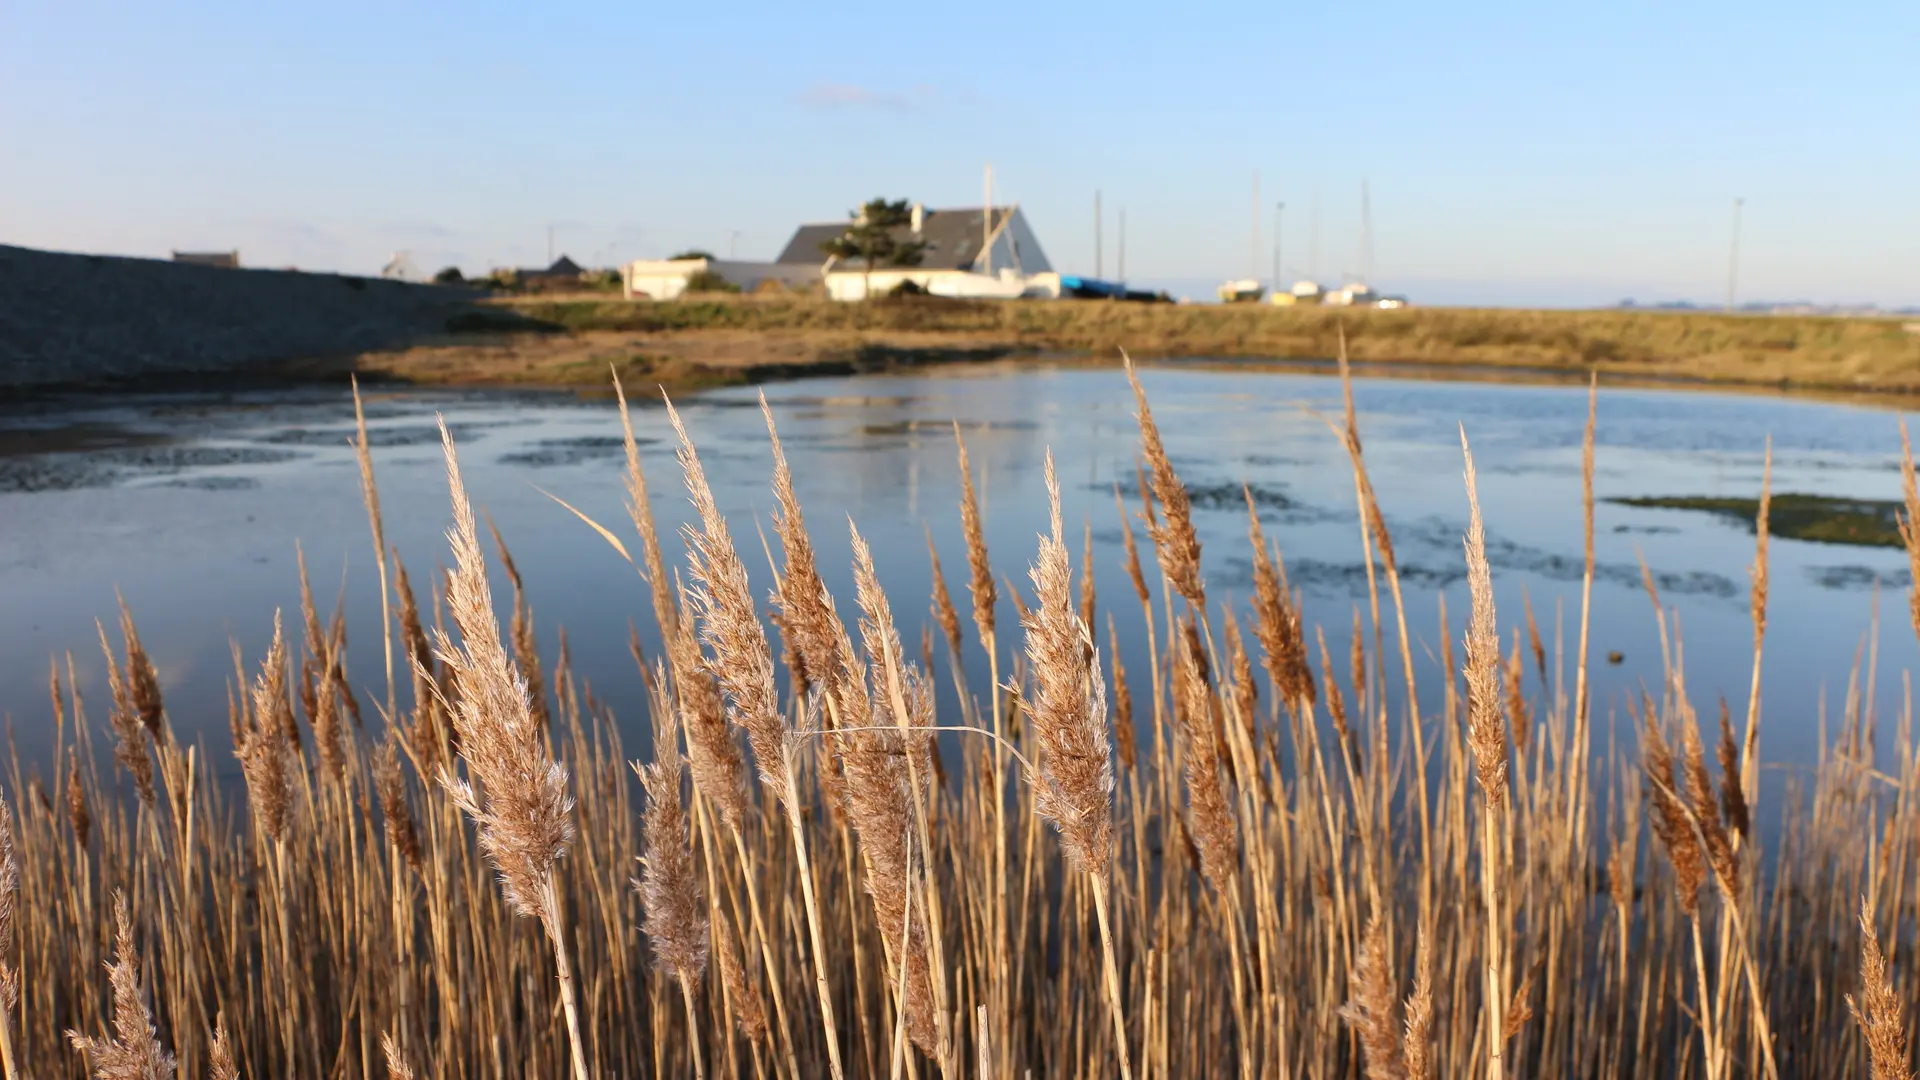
(514, 791)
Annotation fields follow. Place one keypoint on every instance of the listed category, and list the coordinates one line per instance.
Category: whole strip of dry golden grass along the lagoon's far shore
(708, 341)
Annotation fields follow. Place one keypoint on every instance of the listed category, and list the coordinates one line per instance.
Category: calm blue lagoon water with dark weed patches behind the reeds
(193, 508)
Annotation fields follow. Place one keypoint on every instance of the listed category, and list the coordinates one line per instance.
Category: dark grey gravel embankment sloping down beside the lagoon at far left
(93, 320)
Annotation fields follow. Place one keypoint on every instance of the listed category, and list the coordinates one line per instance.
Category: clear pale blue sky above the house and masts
(1516, 153)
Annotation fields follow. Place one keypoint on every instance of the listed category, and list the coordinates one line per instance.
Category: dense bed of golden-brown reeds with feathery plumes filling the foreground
(1237, 864)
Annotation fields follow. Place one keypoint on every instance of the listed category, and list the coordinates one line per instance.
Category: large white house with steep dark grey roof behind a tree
(965, 253)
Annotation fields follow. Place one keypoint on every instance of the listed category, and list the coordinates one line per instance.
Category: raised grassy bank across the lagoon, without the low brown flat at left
(1790, 353)
